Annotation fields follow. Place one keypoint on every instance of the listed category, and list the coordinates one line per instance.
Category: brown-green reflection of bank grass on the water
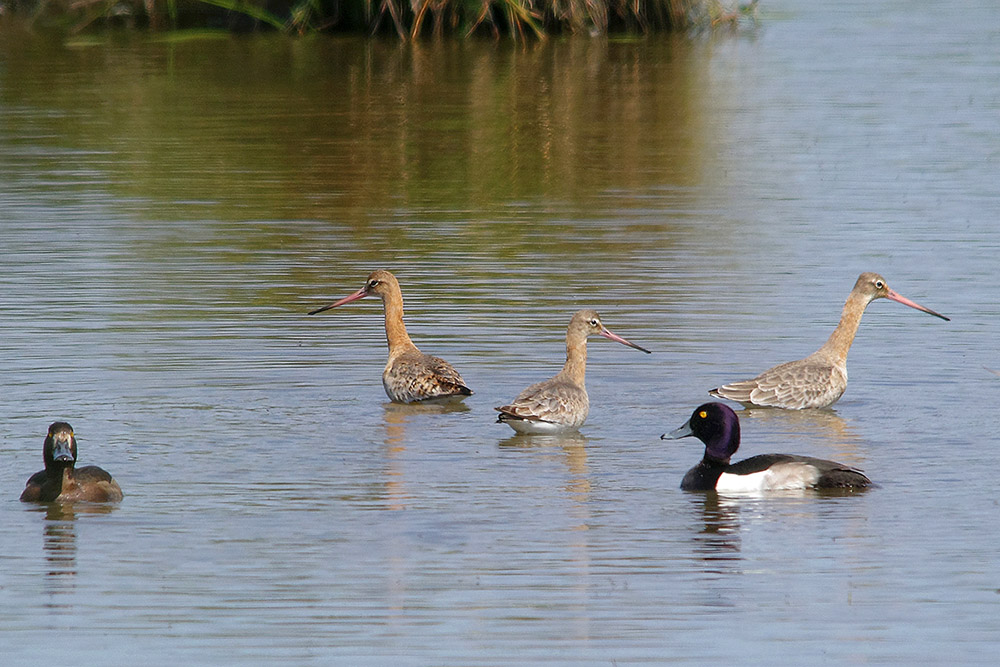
(453, 130)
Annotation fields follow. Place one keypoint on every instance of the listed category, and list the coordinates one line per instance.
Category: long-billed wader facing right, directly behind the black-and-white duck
(820, 379)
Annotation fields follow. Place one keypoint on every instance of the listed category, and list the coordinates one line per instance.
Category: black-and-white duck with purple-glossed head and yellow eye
(717, 425)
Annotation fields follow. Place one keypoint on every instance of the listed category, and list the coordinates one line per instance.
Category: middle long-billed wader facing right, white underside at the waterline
(561, 402)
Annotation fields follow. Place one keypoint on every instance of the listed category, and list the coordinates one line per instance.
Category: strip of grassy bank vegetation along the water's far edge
(409, 19)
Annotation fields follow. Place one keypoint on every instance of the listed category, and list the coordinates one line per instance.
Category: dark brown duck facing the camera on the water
(62, 481)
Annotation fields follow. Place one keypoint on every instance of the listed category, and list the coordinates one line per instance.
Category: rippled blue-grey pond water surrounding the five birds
(170, 212)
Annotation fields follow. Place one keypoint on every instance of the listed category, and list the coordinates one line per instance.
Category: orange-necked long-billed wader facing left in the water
(410, 375)
